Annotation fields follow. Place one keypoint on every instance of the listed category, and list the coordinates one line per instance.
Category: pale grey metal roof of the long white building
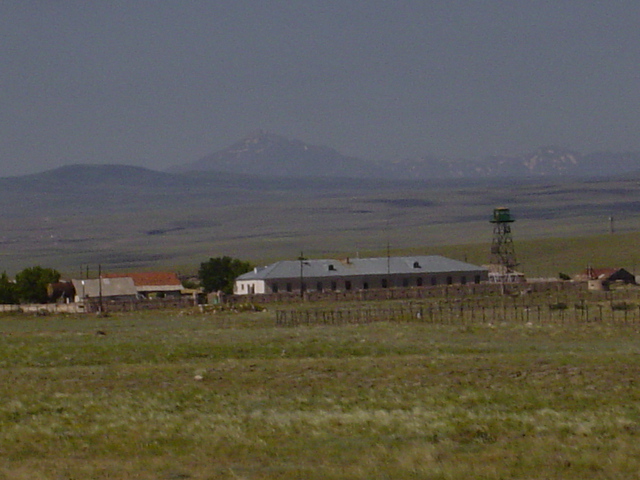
(360, 266)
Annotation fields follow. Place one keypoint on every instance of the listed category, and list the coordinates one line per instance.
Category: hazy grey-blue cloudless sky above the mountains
(158, 83)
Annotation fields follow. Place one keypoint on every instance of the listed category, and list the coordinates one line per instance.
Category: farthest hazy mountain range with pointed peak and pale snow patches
(263, 153)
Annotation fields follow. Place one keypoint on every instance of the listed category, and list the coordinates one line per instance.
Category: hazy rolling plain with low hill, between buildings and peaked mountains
(125, 218)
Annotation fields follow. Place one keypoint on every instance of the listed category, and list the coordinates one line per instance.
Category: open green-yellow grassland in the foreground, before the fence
(190, 396)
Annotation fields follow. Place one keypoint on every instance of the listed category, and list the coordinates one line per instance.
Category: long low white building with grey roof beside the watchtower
(358, 274)
